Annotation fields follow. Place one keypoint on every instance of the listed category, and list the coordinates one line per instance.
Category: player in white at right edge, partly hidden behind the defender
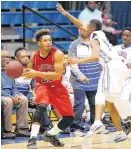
(126, 91)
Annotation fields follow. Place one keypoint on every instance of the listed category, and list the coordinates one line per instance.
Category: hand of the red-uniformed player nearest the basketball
(29, 73)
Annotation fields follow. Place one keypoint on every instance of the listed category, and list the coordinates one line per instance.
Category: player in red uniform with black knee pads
(46, 65)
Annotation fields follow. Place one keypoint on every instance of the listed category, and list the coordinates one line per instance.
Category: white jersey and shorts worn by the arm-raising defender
(114, 70)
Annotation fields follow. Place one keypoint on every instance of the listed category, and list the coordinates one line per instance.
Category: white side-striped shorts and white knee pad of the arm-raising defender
(111, 81)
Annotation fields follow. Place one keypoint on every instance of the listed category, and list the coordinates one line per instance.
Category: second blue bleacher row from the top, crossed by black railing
(16, 17)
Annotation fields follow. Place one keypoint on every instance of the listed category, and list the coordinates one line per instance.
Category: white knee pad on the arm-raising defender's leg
(100, 98)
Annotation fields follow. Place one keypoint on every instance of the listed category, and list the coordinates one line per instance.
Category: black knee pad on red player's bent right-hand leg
(65, 122)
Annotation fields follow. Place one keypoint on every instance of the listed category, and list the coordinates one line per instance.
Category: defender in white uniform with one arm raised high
(99, 41)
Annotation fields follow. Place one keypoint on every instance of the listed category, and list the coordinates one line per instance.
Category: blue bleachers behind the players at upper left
(14, 20)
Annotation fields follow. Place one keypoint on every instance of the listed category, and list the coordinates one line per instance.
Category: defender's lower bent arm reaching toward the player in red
(95, 46)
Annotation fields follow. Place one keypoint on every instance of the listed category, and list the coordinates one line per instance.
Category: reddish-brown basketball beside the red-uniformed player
(14, 69)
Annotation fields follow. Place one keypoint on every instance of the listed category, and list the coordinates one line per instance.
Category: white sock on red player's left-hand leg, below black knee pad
(34, 130)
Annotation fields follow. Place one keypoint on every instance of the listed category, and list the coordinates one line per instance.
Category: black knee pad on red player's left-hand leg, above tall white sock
(40, 109)
